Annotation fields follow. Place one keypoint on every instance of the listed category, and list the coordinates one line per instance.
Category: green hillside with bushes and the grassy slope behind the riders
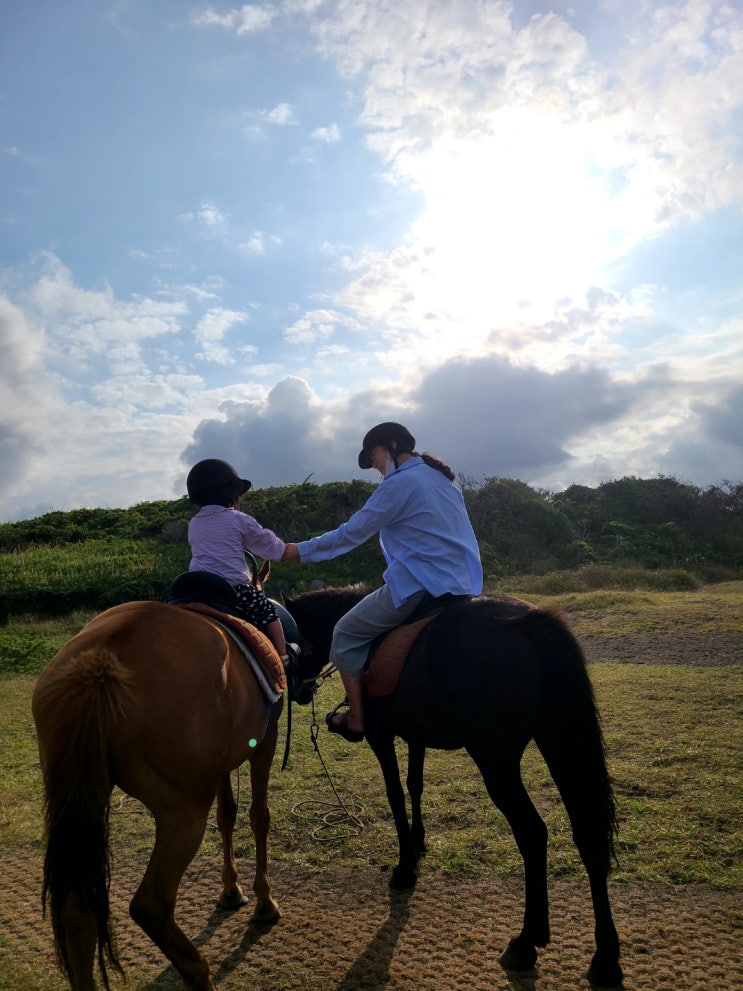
(633, 533)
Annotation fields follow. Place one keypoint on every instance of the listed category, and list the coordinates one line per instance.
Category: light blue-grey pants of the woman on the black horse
(354, 632)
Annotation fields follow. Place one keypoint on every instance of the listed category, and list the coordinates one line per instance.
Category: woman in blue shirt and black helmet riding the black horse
(428, 544)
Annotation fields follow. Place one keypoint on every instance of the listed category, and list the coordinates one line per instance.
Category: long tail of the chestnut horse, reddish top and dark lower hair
(74, 707)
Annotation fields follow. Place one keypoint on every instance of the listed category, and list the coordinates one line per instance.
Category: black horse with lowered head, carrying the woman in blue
(488, 675)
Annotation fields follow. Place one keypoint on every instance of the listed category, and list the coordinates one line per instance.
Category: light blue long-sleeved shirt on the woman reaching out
(424, 532)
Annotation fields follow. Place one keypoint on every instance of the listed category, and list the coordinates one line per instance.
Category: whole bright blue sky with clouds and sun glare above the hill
(252, 232)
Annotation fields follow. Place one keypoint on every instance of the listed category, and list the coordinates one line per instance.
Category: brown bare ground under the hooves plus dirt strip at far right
(346, 931)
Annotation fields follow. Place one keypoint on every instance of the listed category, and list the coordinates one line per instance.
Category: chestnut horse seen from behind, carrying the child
(161, 702)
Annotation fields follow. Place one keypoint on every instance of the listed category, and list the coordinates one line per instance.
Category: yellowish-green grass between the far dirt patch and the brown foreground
(672, 737)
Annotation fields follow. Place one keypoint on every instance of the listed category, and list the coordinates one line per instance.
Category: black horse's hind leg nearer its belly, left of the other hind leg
(502, 777)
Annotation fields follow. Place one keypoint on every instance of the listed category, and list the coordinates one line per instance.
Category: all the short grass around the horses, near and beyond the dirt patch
(673, 736)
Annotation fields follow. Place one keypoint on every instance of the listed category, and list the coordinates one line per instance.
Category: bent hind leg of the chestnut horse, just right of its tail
(177, 839)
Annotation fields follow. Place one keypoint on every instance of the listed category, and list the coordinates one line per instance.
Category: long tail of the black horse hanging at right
(570, 738)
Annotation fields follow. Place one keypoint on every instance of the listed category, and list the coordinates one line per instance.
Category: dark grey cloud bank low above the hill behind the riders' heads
(486, 416)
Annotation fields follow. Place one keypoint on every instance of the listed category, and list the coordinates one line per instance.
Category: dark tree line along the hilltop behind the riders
(649, 523)
